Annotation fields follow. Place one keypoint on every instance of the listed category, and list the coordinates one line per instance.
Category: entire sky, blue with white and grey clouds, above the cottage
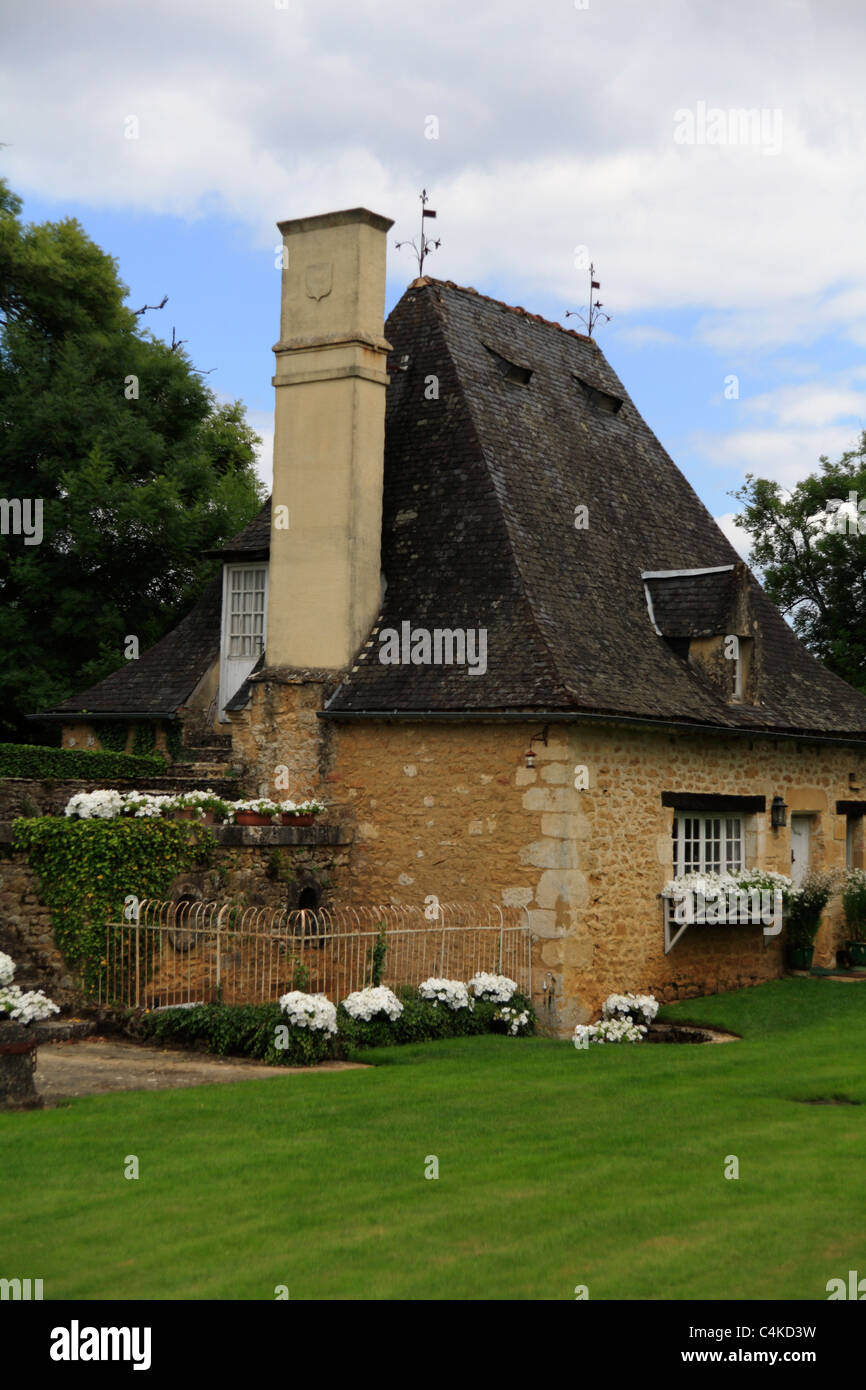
(711, 161)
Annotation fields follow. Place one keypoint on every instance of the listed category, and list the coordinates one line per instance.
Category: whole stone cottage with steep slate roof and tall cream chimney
(487, 619)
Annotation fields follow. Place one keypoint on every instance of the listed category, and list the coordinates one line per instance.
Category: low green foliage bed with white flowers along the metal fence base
(251, 1029)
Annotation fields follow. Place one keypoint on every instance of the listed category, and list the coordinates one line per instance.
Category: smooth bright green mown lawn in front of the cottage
(557, 1168)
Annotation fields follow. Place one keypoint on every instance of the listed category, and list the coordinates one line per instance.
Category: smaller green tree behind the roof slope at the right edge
(811, 546)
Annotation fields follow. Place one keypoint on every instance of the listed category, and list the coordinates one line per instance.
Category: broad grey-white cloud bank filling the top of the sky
(557, 129)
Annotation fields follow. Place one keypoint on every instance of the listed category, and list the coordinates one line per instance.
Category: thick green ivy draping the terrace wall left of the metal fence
(87, 869)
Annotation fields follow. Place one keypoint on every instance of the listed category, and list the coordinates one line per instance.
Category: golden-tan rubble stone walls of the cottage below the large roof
(451, 810)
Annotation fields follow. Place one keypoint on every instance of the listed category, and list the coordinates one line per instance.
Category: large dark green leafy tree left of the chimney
(138, 469)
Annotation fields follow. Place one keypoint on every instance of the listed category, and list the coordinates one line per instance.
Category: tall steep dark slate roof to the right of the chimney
(482, 489)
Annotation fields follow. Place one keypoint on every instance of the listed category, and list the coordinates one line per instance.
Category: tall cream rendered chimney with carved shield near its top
(329, 440)
